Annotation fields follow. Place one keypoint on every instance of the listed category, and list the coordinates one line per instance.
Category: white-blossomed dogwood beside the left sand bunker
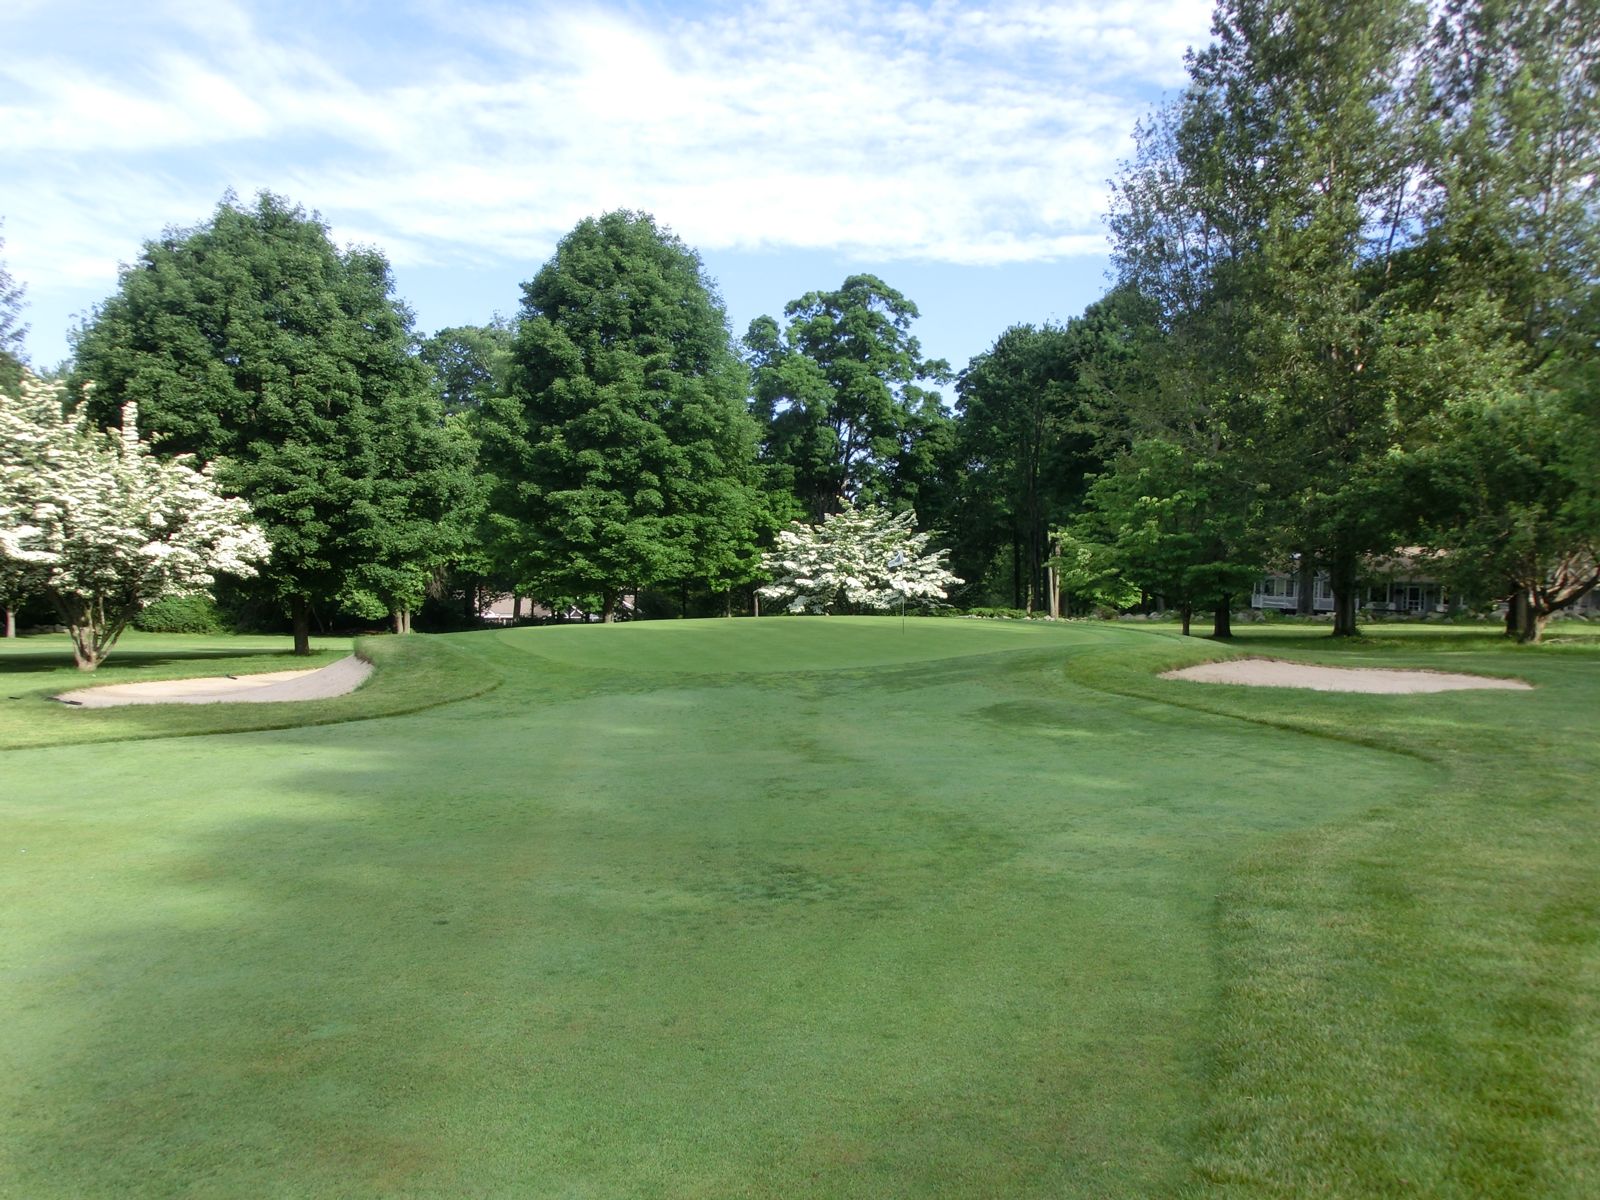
(103, 527)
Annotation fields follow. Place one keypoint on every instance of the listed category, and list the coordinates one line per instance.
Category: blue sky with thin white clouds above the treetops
(961, 151)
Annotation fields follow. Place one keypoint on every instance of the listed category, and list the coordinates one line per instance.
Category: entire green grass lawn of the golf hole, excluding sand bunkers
(806, 908)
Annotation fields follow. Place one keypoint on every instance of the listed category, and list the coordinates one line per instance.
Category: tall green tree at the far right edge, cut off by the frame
(1513, 258)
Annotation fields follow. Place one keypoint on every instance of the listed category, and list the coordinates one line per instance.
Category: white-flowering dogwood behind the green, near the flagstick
(858, 558)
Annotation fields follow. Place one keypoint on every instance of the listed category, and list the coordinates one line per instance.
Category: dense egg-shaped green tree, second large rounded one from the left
(623, 455)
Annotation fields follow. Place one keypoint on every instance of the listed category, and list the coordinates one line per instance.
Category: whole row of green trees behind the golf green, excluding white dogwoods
(1354, 310)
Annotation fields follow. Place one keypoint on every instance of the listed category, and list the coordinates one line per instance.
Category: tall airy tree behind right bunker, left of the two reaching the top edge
(1265, 215)
